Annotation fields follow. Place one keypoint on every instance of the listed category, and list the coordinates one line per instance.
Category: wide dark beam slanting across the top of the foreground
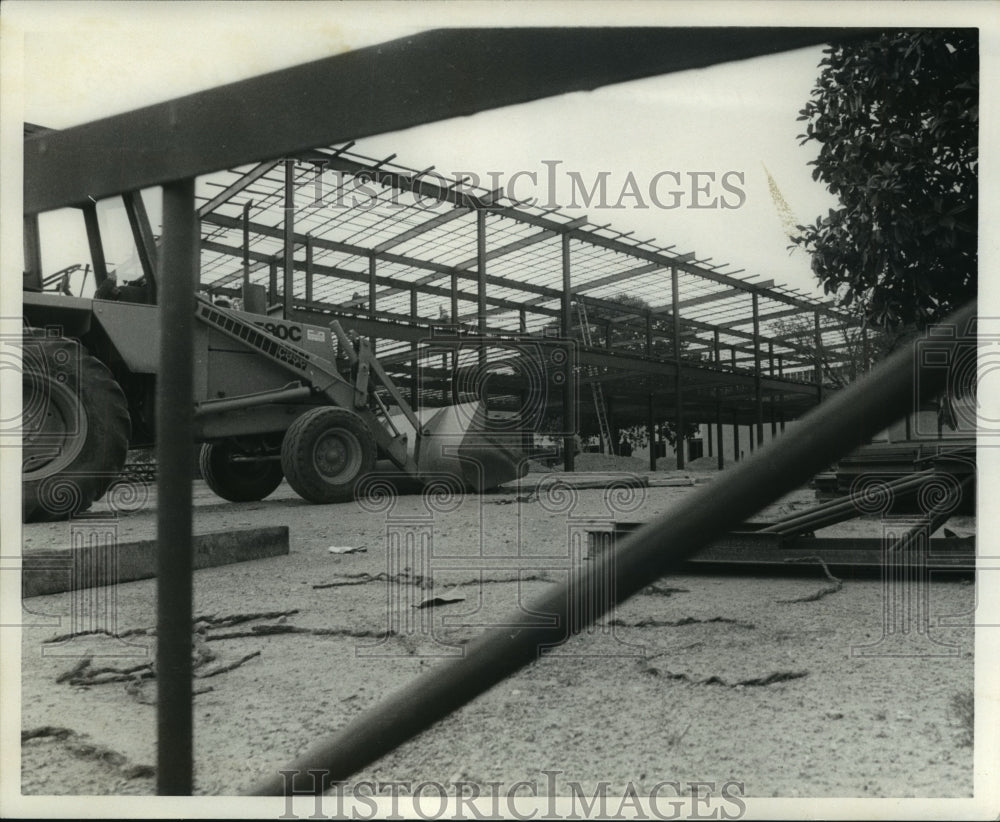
(382, 88)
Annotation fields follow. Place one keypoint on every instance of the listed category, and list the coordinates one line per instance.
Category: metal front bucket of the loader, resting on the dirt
(457, 442)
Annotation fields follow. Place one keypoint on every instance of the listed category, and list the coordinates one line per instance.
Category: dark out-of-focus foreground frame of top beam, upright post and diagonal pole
(381, 89)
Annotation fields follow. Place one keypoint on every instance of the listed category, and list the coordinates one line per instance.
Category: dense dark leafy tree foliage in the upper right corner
(896, 120)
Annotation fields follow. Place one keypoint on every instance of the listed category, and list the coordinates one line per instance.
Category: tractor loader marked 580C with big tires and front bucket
(273, 399)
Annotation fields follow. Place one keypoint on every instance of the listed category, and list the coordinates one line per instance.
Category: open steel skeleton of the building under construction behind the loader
(409, 257)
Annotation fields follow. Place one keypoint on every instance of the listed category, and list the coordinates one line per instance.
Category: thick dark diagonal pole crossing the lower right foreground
(831, 430)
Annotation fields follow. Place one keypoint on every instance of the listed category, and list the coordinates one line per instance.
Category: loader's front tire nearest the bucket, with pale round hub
(325, 453)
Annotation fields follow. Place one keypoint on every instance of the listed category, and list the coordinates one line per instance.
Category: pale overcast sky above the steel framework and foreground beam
(84, 61)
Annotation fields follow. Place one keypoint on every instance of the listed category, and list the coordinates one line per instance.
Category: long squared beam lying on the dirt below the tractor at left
(96, 558)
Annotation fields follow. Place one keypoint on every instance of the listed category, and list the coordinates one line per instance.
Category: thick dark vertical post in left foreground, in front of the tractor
(174, 437)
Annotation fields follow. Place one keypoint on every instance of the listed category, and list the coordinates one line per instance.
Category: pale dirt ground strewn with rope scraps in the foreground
(710, 678)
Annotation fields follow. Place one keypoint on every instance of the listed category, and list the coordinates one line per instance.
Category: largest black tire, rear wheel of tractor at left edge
(75, 428)
